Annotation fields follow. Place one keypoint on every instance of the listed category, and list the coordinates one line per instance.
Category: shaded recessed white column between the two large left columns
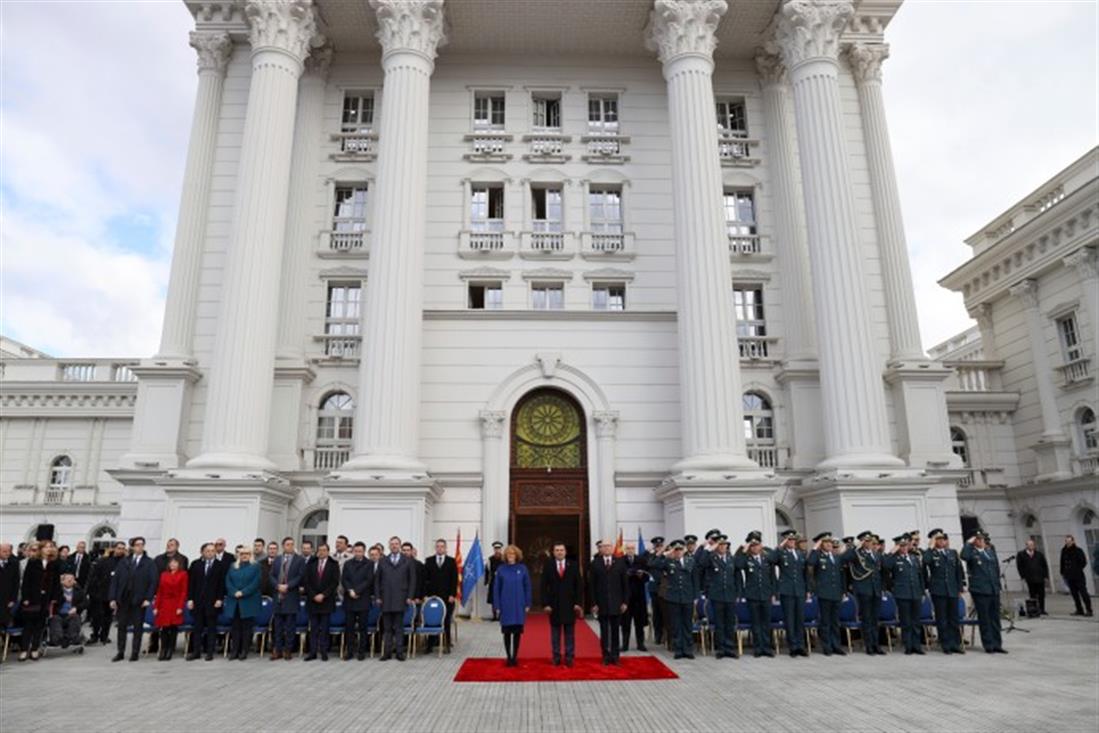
(301, 227)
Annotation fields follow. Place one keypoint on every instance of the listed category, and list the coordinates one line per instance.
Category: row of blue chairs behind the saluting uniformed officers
(889, 618)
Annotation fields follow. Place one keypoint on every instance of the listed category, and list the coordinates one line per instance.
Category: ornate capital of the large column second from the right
(811, 30)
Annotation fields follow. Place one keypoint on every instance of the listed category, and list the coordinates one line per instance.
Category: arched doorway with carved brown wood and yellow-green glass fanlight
(549, 482)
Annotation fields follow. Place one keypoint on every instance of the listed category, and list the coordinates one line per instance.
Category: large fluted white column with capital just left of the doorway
(388, 409)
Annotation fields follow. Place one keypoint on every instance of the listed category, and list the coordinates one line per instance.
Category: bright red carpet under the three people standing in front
(536, 661)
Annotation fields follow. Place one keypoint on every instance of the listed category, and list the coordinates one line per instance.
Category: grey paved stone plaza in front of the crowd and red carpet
(1050, 682)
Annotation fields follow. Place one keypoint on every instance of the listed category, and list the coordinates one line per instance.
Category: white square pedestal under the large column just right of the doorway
(736, 506)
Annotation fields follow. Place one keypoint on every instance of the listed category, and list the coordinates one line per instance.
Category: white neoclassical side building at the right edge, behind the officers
(1024, 399)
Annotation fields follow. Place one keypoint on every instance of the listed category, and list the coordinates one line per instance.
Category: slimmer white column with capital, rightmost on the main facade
(865, 62)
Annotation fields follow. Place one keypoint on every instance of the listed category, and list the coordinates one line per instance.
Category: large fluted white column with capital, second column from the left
(238, 404)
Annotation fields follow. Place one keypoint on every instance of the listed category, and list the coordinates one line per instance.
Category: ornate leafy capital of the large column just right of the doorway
(682, 28)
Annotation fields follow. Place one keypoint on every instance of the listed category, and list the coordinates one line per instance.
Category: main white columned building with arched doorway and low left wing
(529, 270)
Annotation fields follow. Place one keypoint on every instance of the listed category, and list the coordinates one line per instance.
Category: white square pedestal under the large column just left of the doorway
(376, 509)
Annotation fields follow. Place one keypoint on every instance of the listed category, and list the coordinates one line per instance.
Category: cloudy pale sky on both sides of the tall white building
(986, 101)
